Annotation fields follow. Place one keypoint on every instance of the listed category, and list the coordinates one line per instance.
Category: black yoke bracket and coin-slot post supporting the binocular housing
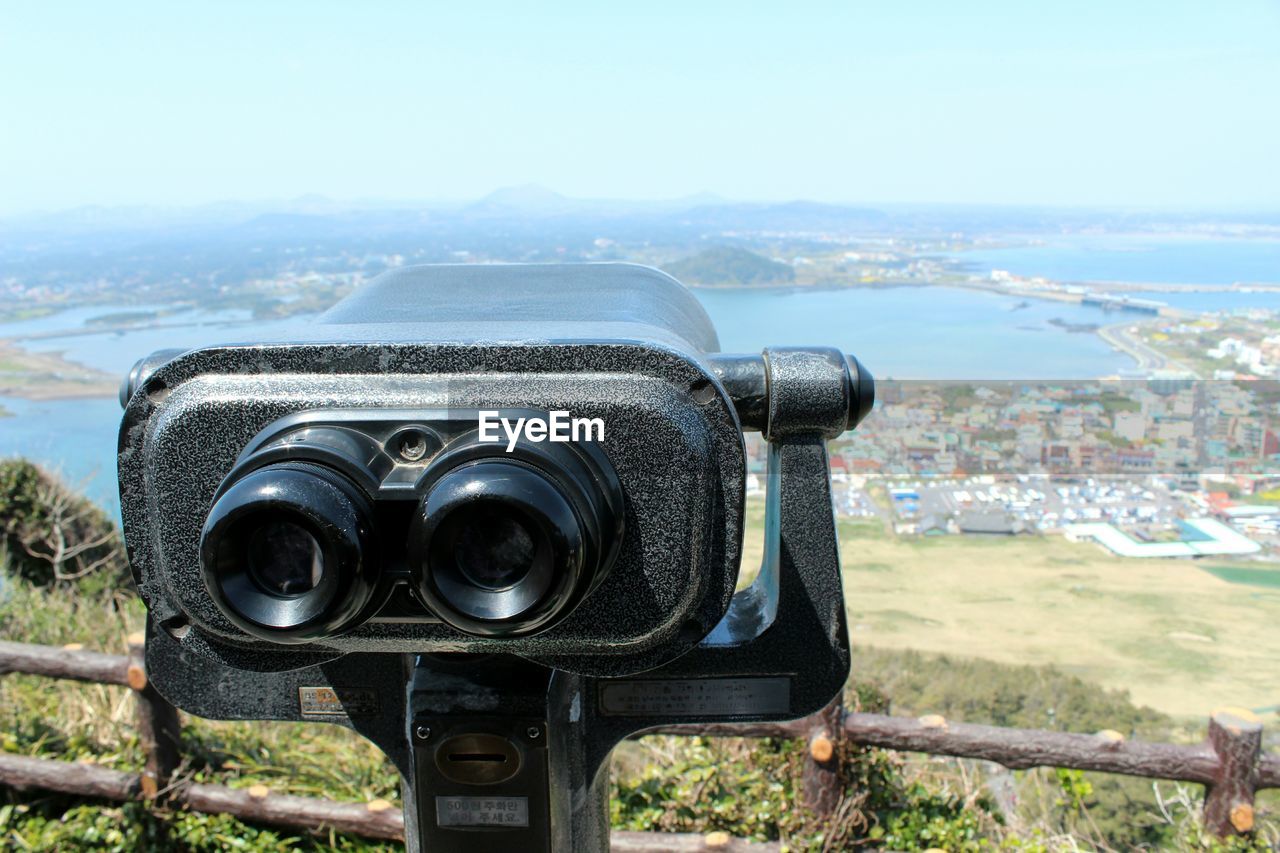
(513, 756)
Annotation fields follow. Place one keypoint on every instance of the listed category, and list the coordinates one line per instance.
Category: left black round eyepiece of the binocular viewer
(286, 553)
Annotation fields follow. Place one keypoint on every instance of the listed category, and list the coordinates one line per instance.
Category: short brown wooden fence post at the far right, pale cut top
(1236, 736)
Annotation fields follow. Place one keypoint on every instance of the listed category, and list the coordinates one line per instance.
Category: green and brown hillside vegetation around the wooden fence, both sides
(748, 788)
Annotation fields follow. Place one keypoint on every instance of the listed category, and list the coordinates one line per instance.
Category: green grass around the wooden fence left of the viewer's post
(71, 722)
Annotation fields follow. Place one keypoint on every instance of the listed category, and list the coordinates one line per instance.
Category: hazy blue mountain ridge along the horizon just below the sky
(536, 208)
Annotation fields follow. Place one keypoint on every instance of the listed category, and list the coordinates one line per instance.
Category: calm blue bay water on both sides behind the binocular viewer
(900, 332)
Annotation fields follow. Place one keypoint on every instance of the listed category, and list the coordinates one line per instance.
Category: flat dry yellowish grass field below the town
(1177, 637)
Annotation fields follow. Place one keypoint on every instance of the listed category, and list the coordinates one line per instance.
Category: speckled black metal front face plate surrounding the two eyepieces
(679, 460)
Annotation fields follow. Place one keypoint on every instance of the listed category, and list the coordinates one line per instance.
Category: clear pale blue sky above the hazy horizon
(1089, 103)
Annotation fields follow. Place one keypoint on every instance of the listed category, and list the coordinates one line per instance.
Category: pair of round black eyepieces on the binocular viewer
(298, 551)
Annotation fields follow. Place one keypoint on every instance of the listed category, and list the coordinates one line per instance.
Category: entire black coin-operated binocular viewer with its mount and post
(492, 518)
